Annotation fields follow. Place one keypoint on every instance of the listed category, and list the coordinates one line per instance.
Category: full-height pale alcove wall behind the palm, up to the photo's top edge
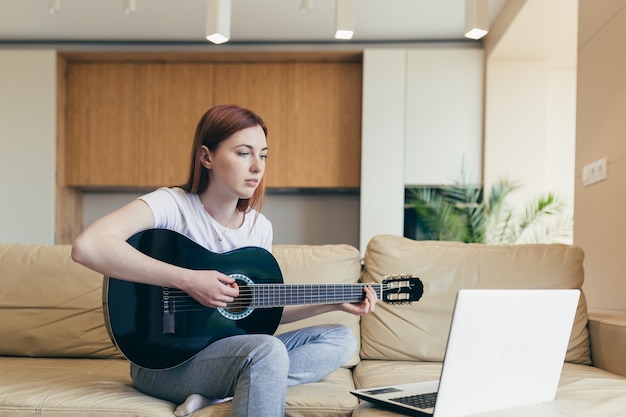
(530, 101)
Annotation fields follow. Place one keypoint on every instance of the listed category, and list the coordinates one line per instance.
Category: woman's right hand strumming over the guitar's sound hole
(210, 288)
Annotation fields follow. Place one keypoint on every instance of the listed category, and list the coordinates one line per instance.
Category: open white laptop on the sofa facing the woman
(505, 349)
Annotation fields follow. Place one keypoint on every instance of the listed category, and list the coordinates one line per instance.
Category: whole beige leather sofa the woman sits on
(57, 359)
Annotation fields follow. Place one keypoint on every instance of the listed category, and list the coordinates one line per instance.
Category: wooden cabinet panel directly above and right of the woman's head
(261, 87)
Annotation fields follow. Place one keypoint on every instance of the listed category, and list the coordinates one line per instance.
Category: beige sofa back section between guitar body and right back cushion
(321, 264)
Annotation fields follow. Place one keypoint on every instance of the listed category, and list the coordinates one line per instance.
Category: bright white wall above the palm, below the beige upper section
(529, 136)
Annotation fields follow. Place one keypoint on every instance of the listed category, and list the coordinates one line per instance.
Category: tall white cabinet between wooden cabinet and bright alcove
(422, 120)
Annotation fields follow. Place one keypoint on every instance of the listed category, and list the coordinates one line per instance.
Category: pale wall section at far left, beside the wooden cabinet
(27, 145)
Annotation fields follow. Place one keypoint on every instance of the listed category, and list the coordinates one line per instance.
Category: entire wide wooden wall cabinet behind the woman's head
(131, 124)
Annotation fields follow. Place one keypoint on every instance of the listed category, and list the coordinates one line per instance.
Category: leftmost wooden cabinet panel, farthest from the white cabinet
(102, 129)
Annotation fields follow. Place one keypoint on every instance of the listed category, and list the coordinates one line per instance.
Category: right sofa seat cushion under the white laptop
(583, 390)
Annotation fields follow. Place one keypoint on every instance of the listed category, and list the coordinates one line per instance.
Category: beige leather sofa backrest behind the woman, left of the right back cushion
(51, 306)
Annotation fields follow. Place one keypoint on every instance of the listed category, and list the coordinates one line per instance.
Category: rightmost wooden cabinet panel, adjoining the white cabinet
(325, 125)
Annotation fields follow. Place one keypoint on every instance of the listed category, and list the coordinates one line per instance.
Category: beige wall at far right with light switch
(600, 223)
